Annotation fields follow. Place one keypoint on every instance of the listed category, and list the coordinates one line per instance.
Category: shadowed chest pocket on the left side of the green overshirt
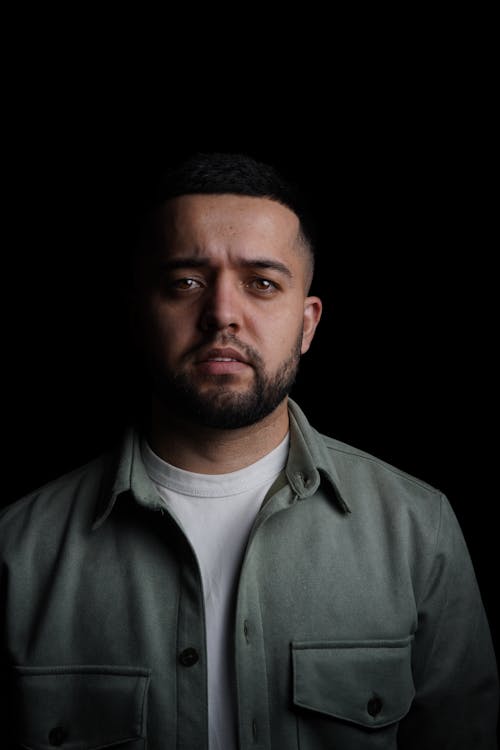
(79, 707)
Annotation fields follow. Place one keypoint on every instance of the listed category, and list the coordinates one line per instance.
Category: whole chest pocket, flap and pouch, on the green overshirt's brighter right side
(348, 689)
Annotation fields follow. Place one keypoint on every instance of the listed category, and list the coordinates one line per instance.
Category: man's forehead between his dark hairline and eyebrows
(204, 223)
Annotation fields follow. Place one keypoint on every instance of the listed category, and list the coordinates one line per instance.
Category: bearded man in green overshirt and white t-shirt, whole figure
(230, 578)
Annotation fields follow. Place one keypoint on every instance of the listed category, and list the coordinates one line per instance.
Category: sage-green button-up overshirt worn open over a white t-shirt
(358, 621)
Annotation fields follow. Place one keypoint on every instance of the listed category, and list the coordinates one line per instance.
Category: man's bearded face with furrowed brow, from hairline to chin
(226, 316)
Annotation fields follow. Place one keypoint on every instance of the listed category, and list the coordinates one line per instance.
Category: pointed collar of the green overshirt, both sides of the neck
(309, 462)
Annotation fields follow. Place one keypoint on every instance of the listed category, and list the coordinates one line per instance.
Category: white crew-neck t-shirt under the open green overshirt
(217, 512)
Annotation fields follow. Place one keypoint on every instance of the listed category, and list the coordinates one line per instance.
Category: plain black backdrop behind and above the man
(391, 135)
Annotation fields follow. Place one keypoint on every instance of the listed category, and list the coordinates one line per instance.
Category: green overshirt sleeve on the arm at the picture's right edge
(454, 664)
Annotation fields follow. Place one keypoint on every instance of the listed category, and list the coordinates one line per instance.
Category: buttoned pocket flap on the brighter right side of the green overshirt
(365, 682)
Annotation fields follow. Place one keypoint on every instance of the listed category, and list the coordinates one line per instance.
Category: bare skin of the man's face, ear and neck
(224, 272)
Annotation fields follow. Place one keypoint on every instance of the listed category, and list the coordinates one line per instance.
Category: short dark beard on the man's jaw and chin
(220, 405)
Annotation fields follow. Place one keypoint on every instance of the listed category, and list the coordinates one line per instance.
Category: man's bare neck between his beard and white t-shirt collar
(207, 450)
